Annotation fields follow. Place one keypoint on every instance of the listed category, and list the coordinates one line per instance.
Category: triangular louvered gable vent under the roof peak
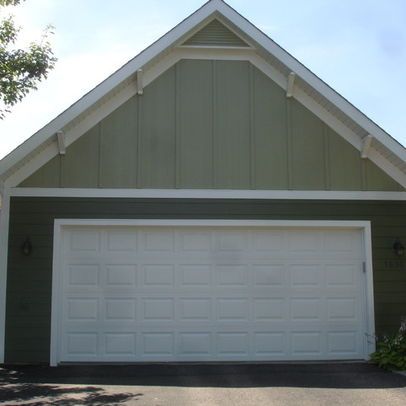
(215, 34)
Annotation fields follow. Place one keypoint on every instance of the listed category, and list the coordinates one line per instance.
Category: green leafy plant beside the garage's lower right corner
(391, 350)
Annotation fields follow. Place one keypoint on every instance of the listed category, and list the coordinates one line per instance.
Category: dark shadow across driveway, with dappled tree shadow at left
(106, 385)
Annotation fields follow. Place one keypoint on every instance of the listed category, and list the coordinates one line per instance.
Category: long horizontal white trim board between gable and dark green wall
(207, 194)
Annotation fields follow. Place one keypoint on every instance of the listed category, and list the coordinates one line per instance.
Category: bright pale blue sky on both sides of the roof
(358, 47)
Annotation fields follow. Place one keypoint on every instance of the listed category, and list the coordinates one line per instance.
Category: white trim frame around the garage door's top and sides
(364, 226)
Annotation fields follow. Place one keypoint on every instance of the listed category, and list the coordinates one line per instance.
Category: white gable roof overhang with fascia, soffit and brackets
(371, 140)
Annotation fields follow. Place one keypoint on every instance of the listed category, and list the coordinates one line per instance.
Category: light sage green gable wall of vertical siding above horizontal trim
(212, 124)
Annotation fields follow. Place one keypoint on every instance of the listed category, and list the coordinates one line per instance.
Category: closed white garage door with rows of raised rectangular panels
(133, 294)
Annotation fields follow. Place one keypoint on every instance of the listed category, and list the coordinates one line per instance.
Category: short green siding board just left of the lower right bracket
(345, 164)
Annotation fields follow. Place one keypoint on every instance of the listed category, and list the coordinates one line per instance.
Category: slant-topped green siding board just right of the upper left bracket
(157, 132)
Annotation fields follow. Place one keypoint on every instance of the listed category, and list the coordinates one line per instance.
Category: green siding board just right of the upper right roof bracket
(307, 149)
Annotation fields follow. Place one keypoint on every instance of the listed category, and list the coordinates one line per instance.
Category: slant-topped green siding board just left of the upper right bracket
(270, 134)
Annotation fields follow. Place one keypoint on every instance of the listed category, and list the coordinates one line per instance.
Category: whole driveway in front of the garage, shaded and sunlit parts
(187, 384)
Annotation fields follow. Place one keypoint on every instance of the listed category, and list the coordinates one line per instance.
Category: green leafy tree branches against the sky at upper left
(20, 70)
